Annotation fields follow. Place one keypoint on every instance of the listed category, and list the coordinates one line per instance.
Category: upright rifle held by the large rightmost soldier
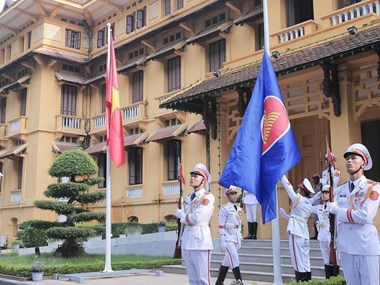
(332, 269)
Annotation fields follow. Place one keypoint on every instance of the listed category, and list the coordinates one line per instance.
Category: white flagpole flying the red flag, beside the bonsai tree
(107, 266)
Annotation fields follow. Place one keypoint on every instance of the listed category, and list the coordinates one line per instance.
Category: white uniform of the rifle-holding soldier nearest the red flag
(196, 241)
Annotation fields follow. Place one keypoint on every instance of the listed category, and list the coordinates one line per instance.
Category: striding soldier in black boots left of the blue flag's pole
(230, 237)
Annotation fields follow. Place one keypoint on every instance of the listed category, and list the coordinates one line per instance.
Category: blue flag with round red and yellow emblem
(265, 147)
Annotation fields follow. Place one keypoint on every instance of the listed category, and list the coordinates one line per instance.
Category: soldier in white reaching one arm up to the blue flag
(298, 232)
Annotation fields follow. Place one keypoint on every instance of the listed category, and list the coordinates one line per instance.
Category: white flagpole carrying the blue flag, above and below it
(275, 222)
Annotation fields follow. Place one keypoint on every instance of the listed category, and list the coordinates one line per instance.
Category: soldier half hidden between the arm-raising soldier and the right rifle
(323, 226)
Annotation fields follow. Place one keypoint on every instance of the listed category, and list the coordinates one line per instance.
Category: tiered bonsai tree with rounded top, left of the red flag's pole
(75, 170)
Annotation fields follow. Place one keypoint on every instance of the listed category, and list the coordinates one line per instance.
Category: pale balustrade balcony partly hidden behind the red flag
(132, 114)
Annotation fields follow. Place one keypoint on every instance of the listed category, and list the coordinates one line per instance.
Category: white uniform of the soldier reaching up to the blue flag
(299, 243)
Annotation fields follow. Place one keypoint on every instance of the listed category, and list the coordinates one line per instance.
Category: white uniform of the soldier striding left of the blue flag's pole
(230, 227)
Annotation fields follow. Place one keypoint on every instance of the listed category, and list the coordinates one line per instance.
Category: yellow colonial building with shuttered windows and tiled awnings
(186, 72)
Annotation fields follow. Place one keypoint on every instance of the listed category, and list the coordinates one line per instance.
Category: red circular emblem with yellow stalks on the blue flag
(275, 123)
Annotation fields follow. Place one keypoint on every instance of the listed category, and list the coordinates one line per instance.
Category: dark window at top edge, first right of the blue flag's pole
(299, 11)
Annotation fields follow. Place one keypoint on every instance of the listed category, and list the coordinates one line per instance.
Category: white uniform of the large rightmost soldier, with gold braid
(357, 237)
